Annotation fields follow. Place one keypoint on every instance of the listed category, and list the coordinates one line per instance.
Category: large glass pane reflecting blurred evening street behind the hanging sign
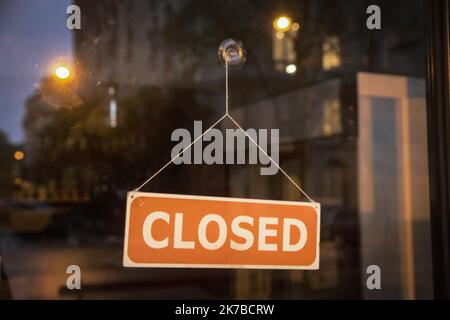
(87, 115)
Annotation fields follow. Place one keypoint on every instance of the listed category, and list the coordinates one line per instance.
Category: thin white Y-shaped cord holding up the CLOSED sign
(226, 115)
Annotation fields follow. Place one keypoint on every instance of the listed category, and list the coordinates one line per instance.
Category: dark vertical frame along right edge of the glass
(438, 121)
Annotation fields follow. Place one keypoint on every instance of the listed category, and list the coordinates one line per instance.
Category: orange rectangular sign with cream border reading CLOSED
(165, 230)
